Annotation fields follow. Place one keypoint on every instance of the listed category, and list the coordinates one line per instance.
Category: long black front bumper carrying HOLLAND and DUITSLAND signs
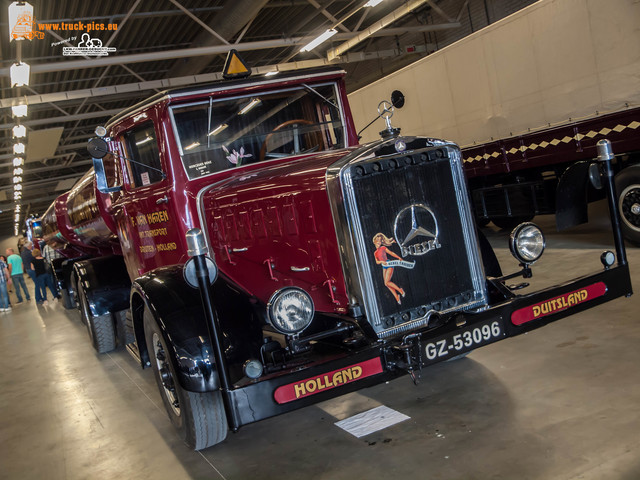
(384, 361)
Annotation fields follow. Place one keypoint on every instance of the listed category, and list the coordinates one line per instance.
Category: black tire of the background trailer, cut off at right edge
(628, 191)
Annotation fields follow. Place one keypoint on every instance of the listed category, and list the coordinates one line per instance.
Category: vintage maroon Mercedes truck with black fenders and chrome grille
(339, 265)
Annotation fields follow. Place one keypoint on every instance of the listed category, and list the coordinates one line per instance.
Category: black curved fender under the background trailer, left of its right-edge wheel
(571, 196)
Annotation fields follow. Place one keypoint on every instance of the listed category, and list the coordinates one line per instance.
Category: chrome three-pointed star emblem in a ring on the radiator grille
(417, 225)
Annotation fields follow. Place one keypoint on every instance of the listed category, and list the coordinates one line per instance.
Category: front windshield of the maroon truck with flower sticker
(219, 134)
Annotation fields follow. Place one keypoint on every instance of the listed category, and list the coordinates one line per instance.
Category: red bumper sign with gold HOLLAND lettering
(327, 381)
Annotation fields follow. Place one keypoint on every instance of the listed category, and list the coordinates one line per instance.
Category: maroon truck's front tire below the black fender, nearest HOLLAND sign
(199, 417)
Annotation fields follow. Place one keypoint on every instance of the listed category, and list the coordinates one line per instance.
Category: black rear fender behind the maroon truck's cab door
(105, 282)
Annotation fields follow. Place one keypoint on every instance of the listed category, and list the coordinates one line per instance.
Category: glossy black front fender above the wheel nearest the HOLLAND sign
(177, 309)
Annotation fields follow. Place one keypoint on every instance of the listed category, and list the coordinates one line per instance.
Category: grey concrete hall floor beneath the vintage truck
(562, 402)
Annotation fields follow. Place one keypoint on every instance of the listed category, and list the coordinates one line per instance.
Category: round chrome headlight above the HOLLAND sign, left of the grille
(290, 310)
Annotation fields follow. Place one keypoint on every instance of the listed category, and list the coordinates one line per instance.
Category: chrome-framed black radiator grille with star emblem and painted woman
(412, 212)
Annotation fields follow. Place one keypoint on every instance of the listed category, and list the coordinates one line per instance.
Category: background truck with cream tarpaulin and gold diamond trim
(528, 98)
